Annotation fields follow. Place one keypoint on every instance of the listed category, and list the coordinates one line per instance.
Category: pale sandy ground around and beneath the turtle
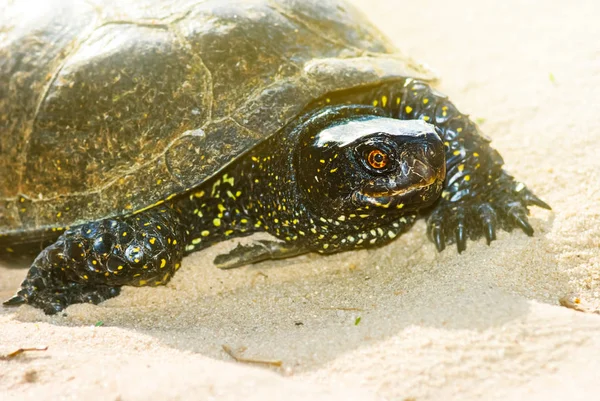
(483, 325)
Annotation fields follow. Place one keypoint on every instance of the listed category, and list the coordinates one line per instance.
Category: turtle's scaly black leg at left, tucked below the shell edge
(90, 263)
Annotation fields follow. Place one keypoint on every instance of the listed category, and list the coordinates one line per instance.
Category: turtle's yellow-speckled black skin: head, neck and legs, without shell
(343, 176)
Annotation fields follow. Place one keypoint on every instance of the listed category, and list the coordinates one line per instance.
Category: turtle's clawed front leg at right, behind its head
(479, 196)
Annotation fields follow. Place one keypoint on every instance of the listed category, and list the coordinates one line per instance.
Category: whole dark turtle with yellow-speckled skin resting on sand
(135, 133)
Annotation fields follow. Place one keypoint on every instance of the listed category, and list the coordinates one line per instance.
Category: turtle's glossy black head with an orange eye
(357, 161)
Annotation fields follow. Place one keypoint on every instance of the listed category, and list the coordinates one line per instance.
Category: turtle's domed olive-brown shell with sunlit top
(108, 107)
